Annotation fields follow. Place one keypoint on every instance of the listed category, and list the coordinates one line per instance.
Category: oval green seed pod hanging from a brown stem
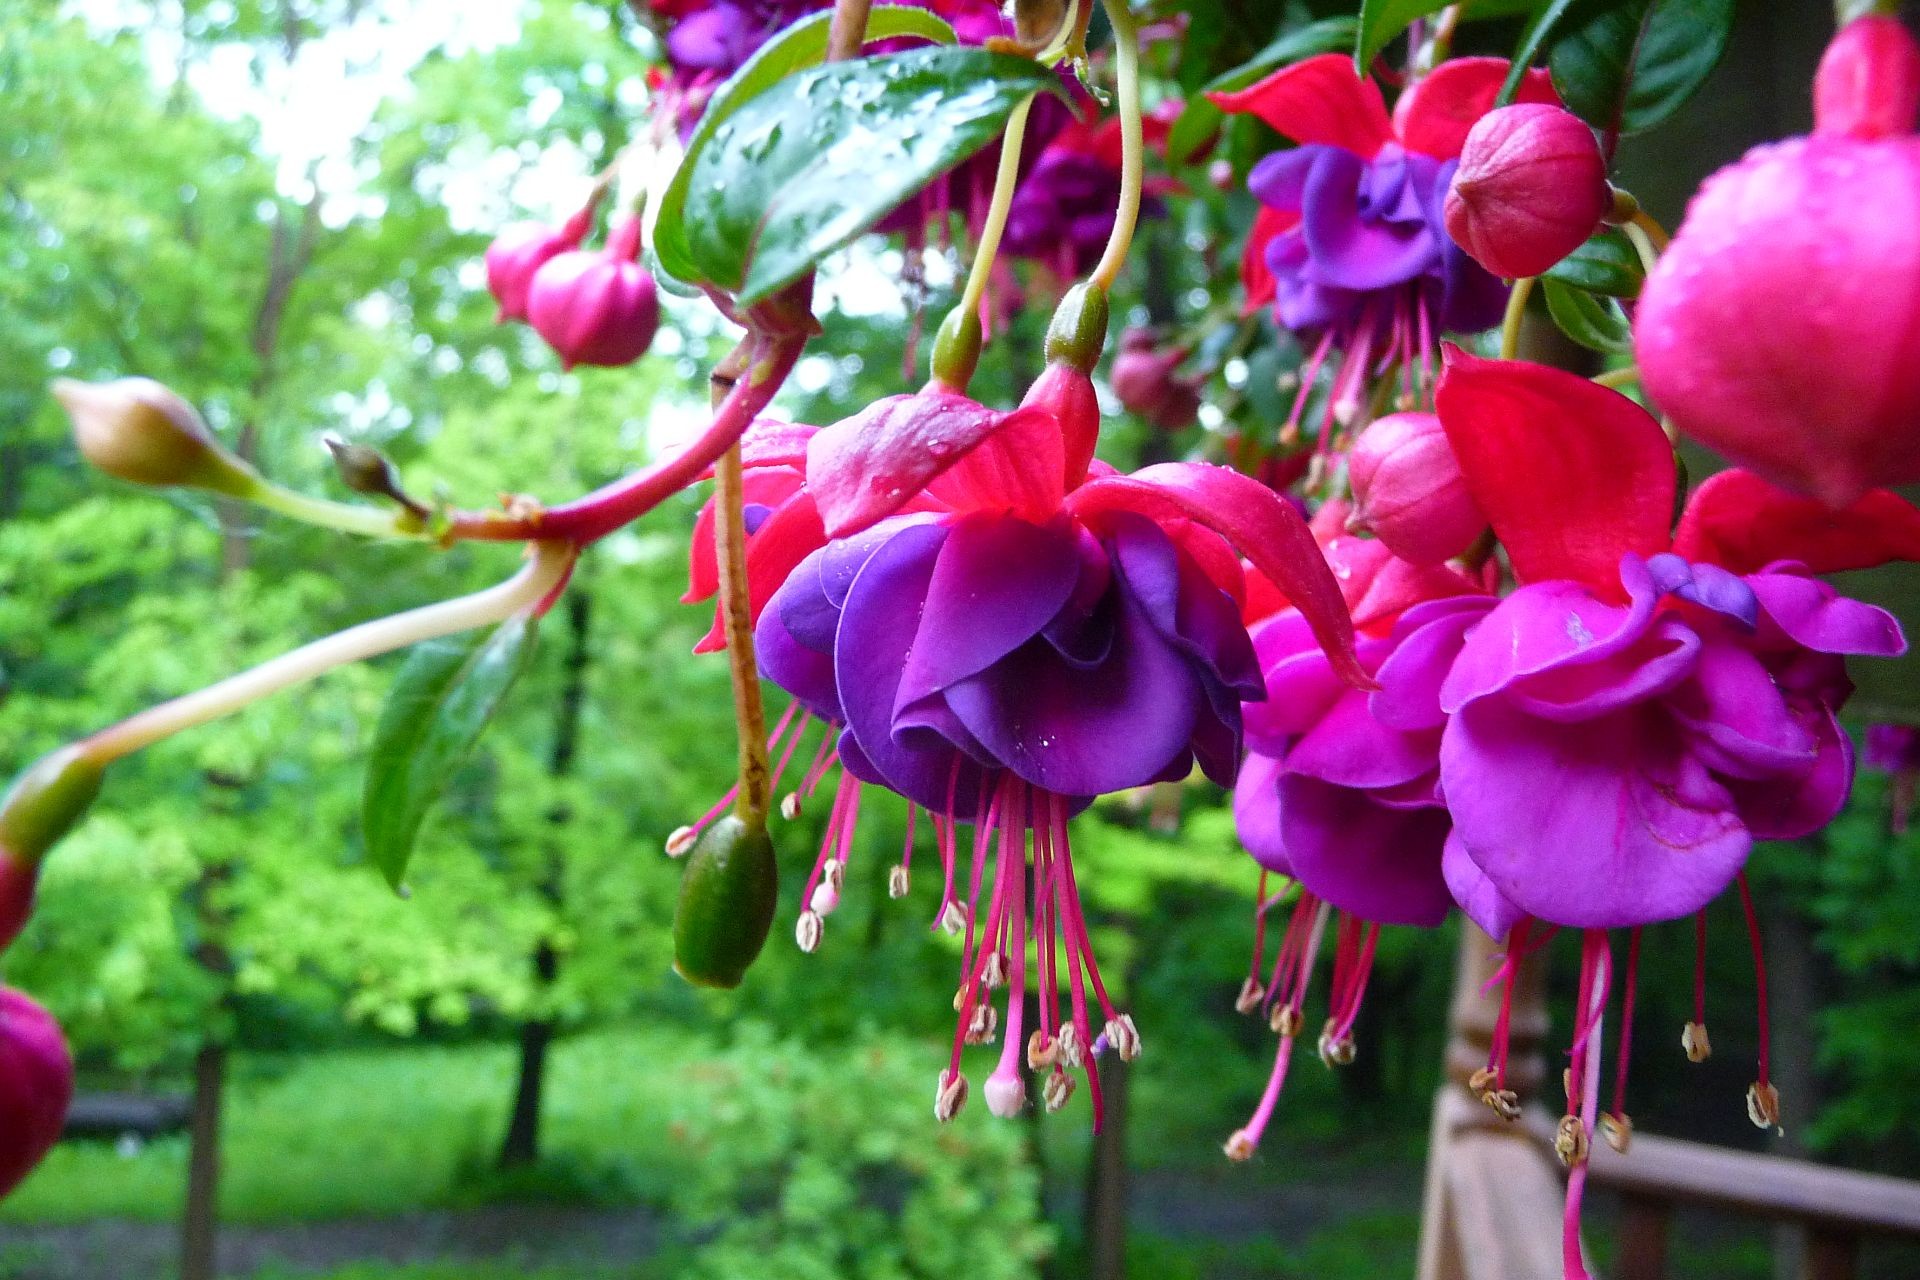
(727, 905)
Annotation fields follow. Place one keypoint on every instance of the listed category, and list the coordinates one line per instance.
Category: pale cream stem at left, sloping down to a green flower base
(523, 592)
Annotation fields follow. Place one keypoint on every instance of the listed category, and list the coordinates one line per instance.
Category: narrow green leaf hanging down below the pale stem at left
(443, 701)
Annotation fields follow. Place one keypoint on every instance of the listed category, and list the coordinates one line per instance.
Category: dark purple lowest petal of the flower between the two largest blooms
(1376, 863)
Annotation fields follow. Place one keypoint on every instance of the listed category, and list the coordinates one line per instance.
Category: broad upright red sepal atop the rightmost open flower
(1570, 473)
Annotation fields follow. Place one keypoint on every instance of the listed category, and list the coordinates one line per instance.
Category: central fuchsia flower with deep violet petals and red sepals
(1038, 634)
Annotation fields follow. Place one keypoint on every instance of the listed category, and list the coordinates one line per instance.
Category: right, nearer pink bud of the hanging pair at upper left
(596, 308)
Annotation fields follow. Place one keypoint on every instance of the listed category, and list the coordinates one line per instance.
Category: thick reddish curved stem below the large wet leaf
(612, 508)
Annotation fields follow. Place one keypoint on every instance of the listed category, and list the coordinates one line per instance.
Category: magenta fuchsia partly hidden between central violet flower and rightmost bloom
(1341, 790)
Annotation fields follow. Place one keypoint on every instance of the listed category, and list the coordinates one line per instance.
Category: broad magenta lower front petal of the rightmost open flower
(1595, 826)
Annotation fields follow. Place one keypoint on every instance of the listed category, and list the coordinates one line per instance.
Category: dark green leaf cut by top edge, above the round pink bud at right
(1629, 66)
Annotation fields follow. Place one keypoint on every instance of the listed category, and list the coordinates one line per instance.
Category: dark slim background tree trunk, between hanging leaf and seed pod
(537, 1033)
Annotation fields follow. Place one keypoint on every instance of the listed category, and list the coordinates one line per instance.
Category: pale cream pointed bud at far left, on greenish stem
(143, 433)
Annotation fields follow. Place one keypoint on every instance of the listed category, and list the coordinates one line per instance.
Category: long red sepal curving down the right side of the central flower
(1257, 521)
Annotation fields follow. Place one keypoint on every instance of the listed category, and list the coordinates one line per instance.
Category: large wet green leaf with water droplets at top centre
(825, 154)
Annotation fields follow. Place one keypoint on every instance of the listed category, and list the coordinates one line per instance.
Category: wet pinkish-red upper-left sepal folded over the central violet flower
(875, 463)
